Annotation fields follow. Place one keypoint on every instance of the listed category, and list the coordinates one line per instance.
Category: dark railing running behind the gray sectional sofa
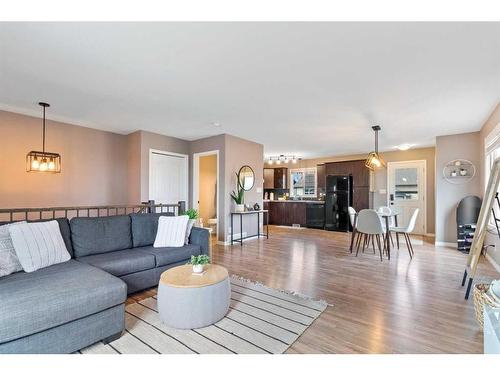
(17, 214)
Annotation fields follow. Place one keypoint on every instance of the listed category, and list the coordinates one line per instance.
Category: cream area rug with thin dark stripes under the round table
(260, 320)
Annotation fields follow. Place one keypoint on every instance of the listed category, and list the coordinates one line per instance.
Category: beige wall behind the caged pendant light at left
(94, 165)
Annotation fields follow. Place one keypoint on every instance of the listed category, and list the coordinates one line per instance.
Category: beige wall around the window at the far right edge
(491, 238)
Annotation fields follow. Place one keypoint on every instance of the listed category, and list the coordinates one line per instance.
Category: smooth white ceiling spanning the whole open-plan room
(311, 89)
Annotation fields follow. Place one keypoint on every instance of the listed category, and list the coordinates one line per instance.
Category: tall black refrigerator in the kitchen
(337, 201)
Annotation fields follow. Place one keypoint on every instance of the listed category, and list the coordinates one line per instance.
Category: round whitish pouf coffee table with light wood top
(187, 300)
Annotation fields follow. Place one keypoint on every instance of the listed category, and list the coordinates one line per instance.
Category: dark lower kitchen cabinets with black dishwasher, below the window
(304, 213)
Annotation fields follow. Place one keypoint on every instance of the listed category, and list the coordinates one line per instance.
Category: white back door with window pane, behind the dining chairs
(406, 191)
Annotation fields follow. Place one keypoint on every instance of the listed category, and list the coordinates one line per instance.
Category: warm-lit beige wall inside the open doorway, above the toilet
(207, 187)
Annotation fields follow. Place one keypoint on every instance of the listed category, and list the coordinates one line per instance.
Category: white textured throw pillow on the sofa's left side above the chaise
(39, 245)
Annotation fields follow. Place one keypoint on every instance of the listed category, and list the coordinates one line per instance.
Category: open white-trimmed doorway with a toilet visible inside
(206, 189)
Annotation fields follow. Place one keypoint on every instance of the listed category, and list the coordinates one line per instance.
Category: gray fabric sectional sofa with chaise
(68, 306)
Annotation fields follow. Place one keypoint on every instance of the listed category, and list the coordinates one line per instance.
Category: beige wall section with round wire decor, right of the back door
(458, 146)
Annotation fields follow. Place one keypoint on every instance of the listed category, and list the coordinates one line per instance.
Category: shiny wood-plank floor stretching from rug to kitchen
(396, 306)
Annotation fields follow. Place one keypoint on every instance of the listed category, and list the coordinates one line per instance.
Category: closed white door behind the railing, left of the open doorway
(168, 177)
